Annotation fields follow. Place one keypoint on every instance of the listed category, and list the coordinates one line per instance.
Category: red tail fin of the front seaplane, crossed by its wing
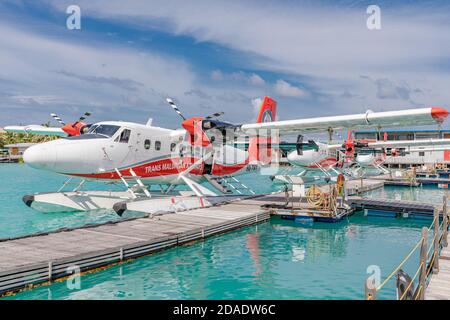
(259, 148)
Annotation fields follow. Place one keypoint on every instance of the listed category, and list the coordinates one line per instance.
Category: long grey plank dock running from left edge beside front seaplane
(36, 259)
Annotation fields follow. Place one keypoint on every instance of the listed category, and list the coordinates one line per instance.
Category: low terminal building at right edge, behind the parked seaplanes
(431, 159)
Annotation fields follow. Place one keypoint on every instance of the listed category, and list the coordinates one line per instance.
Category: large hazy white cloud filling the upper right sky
(329, 44)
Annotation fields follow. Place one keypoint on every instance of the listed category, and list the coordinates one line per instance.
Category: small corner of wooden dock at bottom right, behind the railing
(439, 285)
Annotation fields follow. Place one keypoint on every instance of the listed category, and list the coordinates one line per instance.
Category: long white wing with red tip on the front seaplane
(422, 116)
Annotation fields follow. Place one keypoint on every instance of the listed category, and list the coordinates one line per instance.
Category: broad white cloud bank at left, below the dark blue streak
(50, 74)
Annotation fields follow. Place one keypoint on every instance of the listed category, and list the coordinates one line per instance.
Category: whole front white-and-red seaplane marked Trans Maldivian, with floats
(142, 155)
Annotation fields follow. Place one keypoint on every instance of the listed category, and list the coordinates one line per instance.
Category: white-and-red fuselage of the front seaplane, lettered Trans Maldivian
(156, 155)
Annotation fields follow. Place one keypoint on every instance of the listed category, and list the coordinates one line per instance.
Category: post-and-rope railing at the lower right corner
(428, 260)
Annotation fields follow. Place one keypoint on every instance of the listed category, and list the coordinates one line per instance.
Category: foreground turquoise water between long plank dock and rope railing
(276, 260)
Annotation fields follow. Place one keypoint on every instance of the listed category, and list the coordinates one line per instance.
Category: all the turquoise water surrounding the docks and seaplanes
(274, 260)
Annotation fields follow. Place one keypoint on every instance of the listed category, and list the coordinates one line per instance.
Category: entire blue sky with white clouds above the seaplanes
(316, 58)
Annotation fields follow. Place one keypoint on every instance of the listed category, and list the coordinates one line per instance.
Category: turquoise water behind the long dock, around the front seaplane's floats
(18, 219)
